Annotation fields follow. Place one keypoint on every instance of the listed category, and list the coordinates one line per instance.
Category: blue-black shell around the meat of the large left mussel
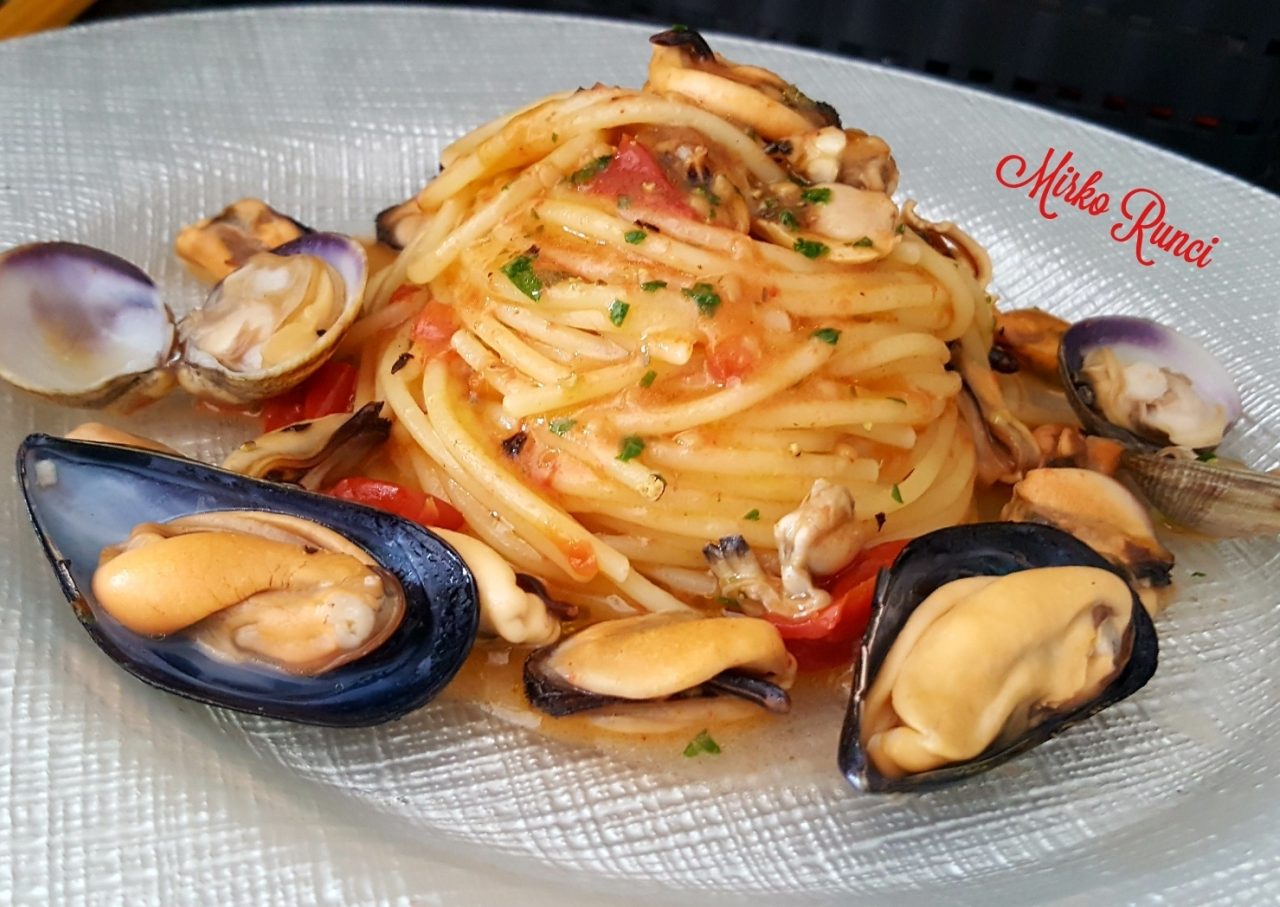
(84, 497)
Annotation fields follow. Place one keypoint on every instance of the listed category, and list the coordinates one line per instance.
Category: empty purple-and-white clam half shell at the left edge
(84, 328)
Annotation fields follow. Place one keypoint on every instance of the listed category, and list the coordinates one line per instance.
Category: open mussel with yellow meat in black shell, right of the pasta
(986, 642)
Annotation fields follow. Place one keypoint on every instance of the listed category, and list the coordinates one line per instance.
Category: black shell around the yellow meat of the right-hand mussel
(956, 553)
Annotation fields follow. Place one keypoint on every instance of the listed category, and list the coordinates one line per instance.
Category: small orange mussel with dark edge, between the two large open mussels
(661, 658)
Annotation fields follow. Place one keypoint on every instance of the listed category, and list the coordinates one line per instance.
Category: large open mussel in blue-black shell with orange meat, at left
(394, 627)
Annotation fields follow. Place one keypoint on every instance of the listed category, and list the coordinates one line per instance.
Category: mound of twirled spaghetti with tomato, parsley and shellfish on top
(636, 322)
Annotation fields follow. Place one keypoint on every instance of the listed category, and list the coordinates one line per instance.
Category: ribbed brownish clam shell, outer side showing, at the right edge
(1217, 501)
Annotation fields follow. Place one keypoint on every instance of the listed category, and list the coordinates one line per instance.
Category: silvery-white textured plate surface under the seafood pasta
(112, 793)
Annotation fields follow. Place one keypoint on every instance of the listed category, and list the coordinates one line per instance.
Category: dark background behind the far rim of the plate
(1201, 77)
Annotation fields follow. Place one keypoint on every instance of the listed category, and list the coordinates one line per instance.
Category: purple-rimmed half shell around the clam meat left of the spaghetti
(203, 375)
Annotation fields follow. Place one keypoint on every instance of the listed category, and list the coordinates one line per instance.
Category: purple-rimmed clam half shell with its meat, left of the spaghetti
(273, 322)
